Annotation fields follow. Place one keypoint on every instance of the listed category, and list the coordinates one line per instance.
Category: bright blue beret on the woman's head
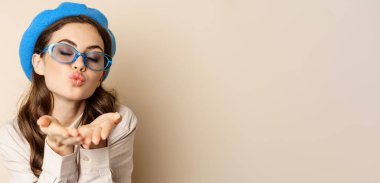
(48, 17)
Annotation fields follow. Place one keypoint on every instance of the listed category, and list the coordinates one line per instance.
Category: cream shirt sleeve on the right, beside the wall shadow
(113, 163)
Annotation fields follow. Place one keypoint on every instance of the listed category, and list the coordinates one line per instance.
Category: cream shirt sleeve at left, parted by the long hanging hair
(15, 155)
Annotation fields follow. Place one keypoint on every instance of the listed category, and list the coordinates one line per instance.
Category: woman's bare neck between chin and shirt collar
(66, 111)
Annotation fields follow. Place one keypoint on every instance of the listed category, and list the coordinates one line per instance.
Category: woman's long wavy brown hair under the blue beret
(39, 100)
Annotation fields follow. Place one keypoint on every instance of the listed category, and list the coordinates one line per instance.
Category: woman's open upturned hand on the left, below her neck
(59, 138)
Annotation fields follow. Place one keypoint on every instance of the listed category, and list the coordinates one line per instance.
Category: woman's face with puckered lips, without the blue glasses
(72, 81)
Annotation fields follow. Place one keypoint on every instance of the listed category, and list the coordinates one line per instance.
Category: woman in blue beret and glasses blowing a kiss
(69, 128)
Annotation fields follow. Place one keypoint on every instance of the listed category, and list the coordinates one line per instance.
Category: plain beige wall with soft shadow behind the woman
(239, 91)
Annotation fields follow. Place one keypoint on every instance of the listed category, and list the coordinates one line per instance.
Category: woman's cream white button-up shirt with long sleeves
(113, 163)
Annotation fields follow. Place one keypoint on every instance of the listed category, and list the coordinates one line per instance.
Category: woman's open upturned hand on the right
(96, 133)
